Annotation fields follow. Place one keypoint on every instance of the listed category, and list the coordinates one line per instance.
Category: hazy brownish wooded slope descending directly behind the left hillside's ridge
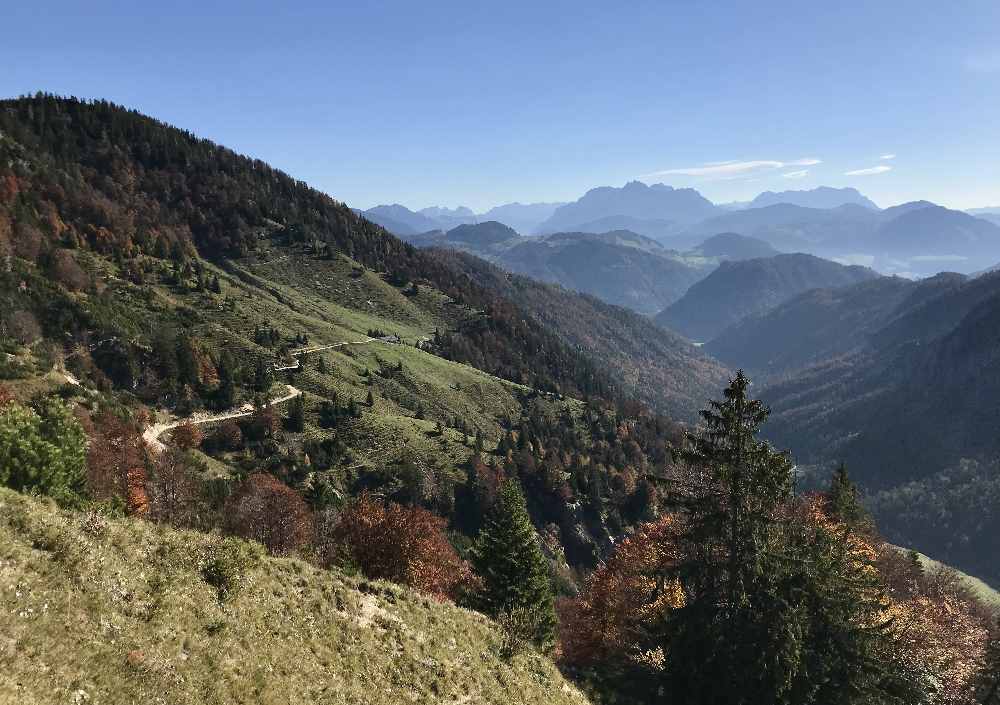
(656, 366)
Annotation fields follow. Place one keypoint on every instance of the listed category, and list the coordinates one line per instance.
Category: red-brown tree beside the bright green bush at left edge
(116, 462)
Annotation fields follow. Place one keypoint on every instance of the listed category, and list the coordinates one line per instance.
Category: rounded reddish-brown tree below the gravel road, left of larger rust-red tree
(267, 511)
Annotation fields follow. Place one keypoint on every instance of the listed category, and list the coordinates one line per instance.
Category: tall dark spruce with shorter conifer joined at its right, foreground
(776, 609)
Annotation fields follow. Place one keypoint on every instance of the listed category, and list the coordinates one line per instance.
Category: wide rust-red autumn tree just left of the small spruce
(403, 544)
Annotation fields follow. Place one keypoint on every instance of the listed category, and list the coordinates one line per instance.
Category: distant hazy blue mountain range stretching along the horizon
(918, 238)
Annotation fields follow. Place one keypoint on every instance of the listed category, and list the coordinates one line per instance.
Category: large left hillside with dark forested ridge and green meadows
(174, 275)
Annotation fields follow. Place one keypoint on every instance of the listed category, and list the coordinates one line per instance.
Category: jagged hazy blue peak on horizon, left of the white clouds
(635, 199)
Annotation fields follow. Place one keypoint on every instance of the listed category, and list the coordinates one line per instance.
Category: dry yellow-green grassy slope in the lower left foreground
(118, 611)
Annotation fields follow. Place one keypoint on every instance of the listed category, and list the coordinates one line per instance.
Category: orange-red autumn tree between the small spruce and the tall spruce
(623, 596)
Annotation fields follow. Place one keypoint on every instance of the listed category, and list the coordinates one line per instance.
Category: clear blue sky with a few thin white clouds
(477, 104)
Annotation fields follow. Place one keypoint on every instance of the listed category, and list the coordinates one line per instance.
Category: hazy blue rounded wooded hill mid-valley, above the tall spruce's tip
(750, 287)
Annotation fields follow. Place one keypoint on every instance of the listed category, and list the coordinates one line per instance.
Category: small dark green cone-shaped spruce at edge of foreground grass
(508, 559)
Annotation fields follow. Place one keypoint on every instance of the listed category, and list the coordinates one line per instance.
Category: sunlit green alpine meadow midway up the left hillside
(296, 293)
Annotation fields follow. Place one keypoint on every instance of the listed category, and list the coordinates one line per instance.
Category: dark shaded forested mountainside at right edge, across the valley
(896, 378)
